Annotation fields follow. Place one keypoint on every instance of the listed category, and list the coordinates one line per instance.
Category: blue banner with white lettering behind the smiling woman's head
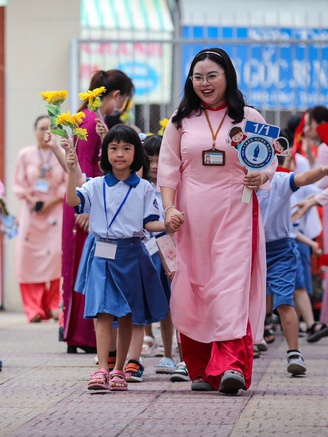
(288, 73)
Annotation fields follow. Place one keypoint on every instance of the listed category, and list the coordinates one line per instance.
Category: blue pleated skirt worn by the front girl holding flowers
(129, 284)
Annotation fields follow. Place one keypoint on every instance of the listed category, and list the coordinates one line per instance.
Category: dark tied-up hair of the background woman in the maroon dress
(112, 80)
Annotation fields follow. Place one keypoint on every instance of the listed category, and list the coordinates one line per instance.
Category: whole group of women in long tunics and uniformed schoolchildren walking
(128, 190)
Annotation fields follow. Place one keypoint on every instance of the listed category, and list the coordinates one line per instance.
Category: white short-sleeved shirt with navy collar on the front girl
(140, 207)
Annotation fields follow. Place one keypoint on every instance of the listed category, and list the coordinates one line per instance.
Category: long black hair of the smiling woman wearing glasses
(191, 102)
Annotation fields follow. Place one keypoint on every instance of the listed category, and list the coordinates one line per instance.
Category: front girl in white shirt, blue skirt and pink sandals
(121, 275)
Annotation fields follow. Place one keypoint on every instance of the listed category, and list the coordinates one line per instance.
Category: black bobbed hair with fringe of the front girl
(125, 133)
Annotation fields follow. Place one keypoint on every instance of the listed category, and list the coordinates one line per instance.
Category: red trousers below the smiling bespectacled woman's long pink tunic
(210, 360)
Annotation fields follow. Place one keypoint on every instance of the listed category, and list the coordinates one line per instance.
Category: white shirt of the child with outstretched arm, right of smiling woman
(275, 207)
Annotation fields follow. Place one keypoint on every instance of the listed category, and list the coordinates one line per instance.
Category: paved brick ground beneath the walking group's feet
(43, 393)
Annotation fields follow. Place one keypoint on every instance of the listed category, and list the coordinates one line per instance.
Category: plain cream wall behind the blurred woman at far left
(38, 35)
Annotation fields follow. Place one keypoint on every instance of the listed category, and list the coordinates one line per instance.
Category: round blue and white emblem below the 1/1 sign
(256, 153)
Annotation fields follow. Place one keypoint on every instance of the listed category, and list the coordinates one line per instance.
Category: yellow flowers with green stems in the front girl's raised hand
(58, 120)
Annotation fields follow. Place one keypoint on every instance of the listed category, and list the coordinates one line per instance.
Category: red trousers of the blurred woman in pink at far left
(41, 298)
